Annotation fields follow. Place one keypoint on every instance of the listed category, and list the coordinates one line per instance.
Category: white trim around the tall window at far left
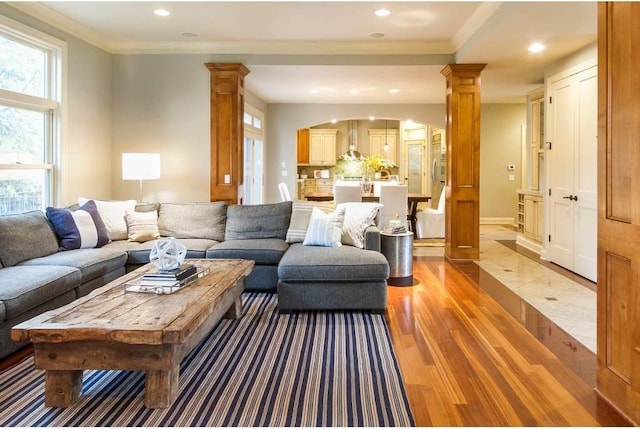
(56, 95)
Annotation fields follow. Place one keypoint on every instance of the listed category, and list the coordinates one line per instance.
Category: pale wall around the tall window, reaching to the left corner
(86, 169)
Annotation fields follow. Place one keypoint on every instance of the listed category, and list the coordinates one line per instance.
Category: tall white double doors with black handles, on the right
(572, 128)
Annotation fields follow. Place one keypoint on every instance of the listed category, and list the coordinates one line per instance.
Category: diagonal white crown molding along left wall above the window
(61, 22)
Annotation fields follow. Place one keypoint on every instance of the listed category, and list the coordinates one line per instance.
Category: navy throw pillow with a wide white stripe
(78, 229)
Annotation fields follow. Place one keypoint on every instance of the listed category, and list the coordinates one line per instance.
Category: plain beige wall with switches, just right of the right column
(500, 145)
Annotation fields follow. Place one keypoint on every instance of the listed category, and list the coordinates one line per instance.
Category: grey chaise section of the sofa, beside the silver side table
(332, 278)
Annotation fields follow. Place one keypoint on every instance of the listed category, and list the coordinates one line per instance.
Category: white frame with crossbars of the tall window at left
(51, 105)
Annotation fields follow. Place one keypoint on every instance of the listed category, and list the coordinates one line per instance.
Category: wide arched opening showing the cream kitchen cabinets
(412, 151)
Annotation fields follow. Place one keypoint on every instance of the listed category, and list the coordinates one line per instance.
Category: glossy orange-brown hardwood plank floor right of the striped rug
(467, 362)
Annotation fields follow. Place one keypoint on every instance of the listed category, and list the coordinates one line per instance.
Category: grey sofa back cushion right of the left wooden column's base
(258, 221)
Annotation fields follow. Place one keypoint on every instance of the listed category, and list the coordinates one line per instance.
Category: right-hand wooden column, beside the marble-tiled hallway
(462, 208)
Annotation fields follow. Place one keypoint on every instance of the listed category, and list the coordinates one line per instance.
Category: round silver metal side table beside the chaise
(398, 249)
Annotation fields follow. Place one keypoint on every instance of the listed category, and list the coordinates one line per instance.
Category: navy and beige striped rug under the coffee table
(304, 369)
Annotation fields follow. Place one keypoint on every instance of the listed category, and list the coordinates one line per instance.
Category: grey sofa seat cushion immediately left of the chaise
(264, 251)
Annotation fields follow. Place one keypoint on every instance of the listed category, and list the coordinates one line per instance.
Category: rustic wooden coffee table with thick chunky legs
(114, 329)
